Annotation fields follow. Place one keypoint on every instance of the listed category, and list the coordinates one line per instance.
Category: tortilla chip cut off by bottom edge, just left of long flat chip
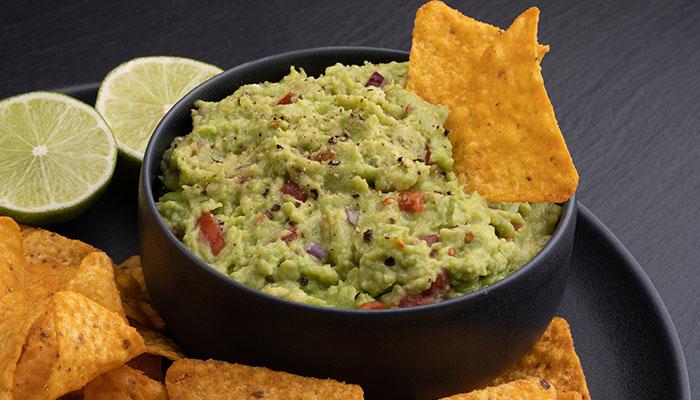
(124, 383)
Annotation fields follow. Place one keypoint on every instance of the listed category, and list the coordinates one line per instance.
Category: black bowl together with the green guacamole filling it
(301, 212)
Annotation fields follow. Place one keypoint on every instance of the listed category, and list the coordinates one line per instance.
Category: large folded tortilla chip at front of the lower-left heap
(75, 341)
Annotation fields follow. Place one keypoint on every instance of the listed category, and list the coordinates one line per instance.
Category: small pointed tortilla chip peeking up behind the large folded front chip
(95, 279)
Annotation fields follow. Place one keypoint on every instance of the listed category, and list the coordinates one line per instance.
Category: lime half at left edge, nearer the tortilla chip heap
(58, 155)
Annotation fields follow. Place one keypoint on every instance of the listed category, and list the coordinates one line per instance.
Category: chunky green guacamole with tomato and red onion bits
(338, 191)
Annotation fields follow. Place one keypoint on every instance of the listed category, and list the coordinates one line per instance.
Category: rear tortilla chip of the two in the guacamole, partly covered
(445, 51)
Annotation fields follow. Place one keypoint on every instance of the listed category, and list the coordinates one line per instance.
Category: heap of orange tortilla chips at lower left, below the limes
(73, 324)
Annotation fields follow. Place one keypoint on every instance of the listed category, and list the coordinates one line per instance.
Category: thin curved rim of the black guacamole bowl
(152, 159)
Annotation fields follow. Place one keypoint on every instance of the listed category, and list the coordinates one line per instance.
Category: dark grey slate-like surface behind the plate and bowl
(623, 76)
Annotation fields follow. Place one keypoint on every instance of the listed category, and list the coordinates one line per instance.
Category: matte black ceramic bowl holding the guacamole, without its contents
(421, 352)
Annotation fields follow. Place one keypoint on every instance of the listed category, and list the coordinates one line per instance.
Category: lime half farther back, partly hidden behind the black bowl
(135, 96)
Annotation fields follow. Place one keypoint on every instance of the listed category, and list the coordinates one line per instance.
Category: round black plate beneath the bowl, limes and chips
(623, 334)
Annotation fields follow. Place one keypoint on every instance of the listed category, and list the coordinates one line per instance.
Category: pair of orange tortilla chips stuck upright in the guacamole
(506, 141)
